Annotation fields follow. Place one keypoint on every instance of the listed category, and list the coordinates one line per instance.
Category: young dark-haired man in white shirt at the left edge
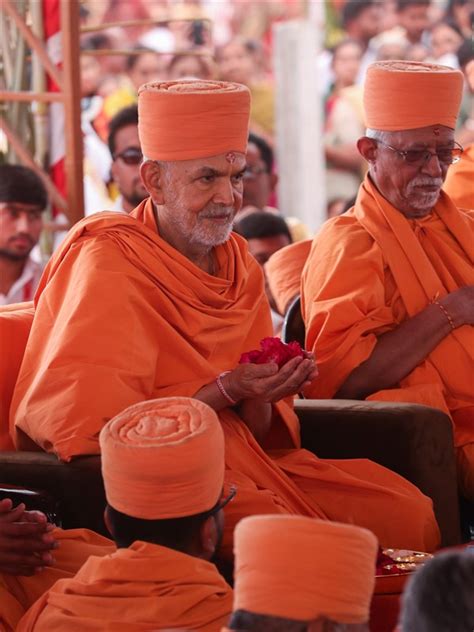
(23, 199)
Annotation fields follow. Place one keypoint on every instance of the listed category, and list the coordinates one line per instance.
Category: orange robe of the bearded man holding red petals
(121, 317)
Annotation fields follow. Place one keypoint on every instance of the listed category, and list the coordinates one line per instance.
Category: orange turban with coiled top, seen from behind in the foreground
(163, 458)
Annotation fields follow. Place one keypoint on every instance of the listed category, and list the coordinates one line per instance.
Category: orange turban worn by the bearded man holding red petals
(182, 120)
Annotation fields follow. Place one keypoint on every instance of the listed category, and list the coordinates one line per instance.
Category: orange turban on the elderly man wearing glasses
(401, 95)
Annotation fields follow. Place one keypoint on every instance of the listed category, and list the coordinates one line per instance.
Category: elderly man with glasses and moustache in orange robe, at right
(388, 288)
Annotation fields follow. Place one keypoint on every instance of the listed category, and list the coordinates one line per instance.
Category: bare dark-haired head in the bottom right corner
(440, 596)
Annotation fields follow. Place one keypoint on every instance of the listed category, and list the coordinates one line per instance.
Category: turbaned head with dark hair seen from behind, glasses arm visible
(150, 496)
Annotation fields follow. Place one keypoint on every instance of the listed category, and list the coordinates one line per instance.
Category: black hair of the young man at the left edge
(22, 185)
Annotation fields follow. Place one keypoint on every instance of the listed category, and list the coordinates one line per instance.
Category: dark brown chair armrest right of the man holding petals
(414, 441)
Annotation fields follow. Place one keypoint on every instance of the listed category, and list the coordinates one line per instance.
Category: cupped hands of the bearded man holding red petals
(268, 383)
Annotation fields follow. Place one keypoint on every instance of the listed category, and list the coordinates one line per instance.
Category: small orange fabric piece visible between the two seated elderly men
(283, 271)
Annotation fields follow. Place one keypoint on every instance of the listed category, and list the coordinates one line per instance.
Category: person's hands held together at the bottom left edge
(25, 540)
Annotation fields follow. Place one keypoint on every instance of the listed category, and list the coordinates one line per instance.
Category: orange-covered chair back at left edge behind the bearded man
(15, 325)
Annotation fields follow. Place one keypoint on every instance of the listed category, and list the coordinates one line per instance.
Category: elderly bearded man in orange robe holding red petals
(163, 302)
